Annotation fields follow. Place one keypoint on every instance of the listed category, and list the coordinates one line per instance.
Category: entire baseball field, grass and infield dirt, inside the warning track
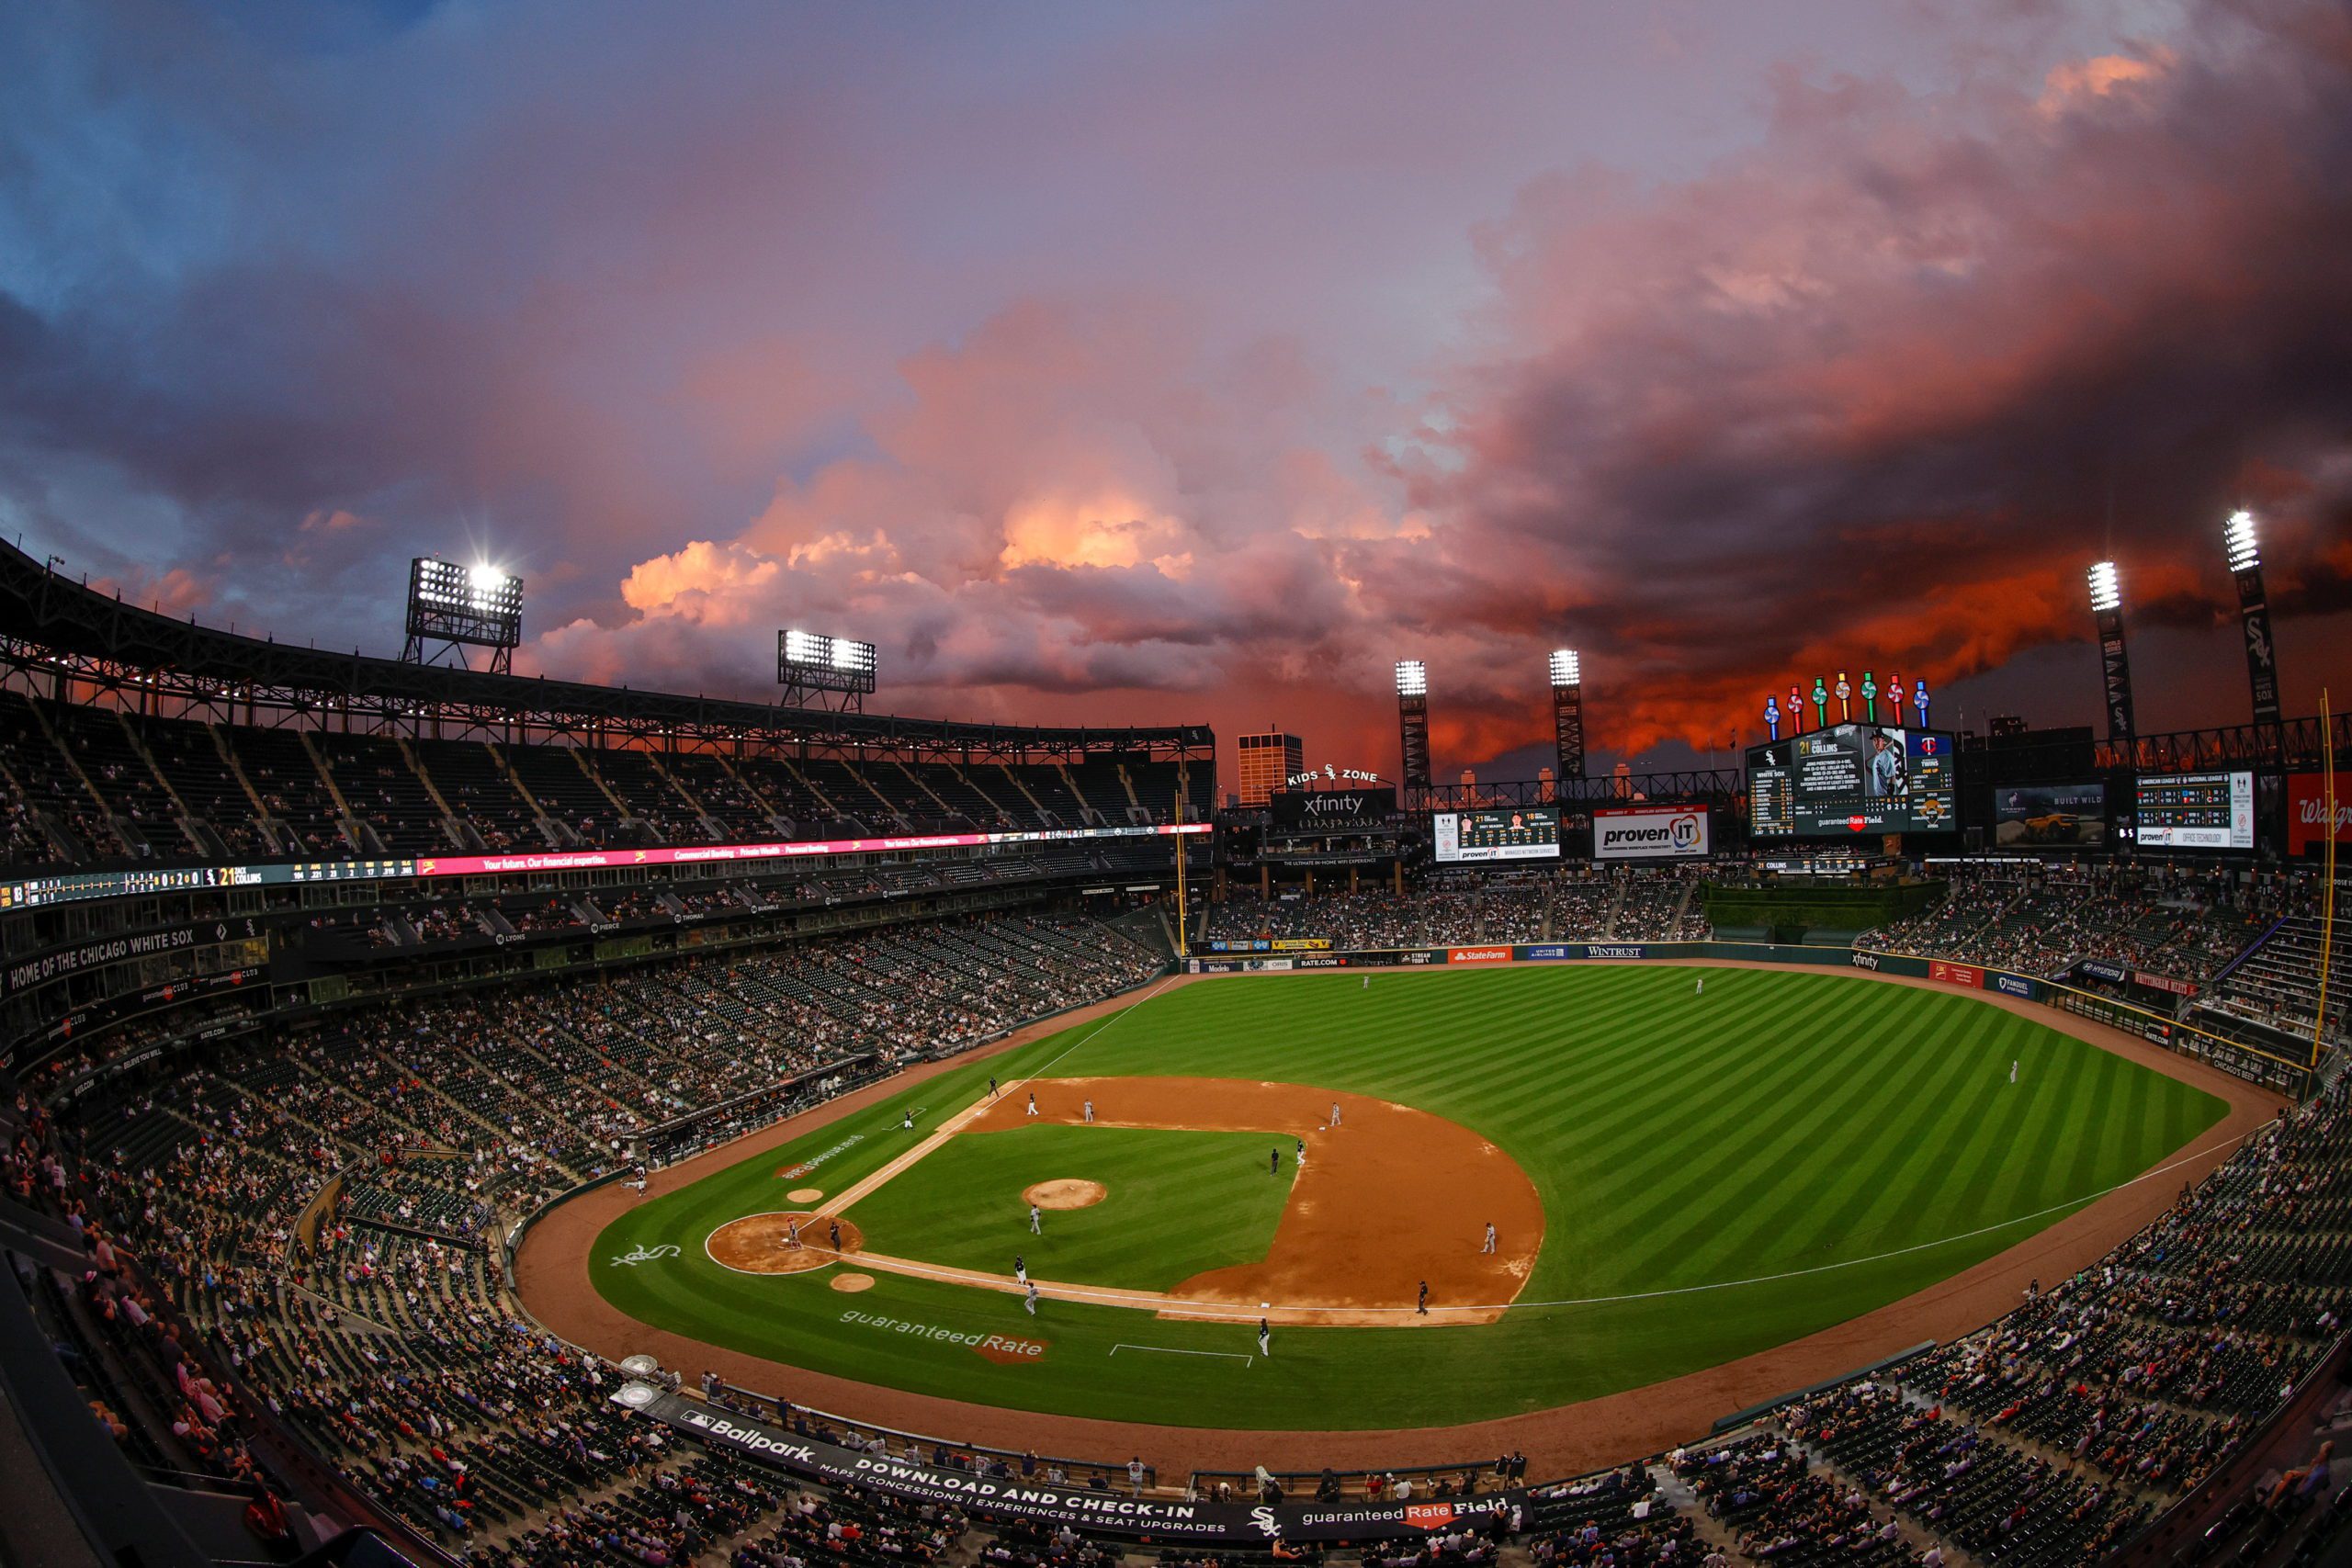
(1676, 1181)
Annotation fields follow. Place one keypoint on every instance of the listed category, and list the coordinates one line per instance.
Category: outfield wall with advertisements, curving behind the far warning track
(2238, 1059)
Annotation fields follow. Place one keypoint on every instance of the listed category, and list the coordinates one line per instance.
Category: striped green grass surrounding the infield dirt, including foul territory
(1720, 1174)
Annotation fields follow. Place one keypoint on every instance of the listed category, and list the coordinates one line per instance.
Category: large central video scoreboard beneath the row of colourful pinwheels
(1850, 779)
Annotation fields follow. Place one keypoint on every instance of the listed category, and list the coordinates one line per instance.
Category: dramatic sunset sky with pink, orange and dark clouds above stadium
(1194, 361)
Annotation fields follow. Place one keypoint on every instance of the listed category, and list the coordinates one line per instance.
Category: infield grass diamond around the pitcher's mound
(1177, 1205)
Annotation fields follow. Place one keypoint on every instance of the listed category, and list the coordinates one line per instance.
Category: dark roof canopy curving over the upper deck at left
(72, 634)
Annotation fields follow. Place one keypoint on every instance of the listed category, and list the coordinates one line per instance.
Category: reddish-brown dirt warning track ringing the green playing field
(554, 1282)
